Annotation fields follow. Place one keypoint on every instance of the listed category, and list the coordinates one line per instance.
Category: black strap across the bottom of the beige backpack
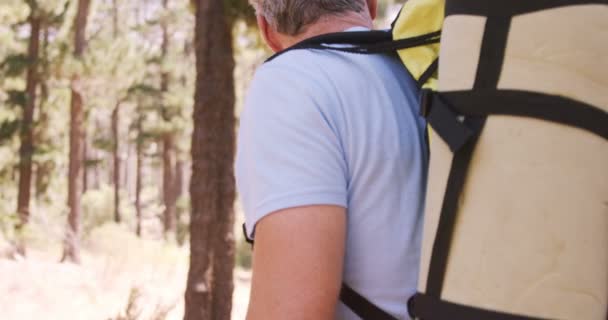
(430, 308)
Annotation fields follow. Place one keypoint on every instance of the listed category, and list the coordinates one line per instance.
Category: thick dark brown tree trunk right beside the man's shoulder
(209, 289)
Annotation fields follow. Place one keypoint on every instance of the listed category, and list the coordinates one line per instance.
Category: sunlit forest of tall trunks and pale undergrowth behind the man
(117, 138)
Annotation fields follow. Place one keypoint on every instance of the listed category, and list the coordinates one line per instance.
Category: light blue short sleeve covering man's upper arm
(289, 153)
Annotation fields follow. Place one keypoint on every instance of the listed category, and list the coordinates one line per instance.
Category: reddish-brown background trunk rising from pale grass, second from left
(71, 248)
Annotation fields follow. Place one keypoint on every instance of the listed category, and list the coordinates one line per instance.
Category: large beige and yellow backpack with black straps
(516, 217)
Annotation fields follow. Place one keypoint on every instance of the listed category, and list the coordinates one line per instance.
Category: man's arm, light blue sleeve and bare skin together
(292, 178)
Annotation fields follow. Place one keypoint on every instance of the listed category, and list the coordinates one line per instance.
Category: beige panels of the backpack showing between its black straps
(531, 236)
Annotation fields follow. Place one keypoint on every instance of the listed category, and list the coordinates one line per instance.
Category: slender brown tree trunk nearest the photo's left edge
(27, 144)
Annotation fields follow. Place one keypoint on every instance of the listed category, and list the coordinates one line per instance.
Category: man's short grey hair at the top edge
(292, 16)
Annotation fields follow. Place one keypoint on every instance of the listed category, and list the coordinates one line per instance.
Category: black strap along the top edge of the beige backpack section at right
(509, 8)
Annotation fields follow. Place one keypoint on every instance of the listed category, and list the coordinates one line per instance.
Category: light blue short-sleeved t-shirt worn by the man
(330, 128)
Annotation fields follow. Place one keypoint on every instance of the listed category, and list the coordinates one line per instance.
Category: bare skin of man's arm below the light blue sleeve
(297, 264)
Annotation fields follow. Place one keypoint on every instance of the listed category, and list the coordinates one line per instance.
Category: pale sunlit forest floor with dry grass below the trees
(121, 277)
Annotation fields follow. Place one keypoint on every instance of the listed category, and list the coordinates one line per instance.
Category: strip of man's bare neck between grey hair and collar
(330, 24)
